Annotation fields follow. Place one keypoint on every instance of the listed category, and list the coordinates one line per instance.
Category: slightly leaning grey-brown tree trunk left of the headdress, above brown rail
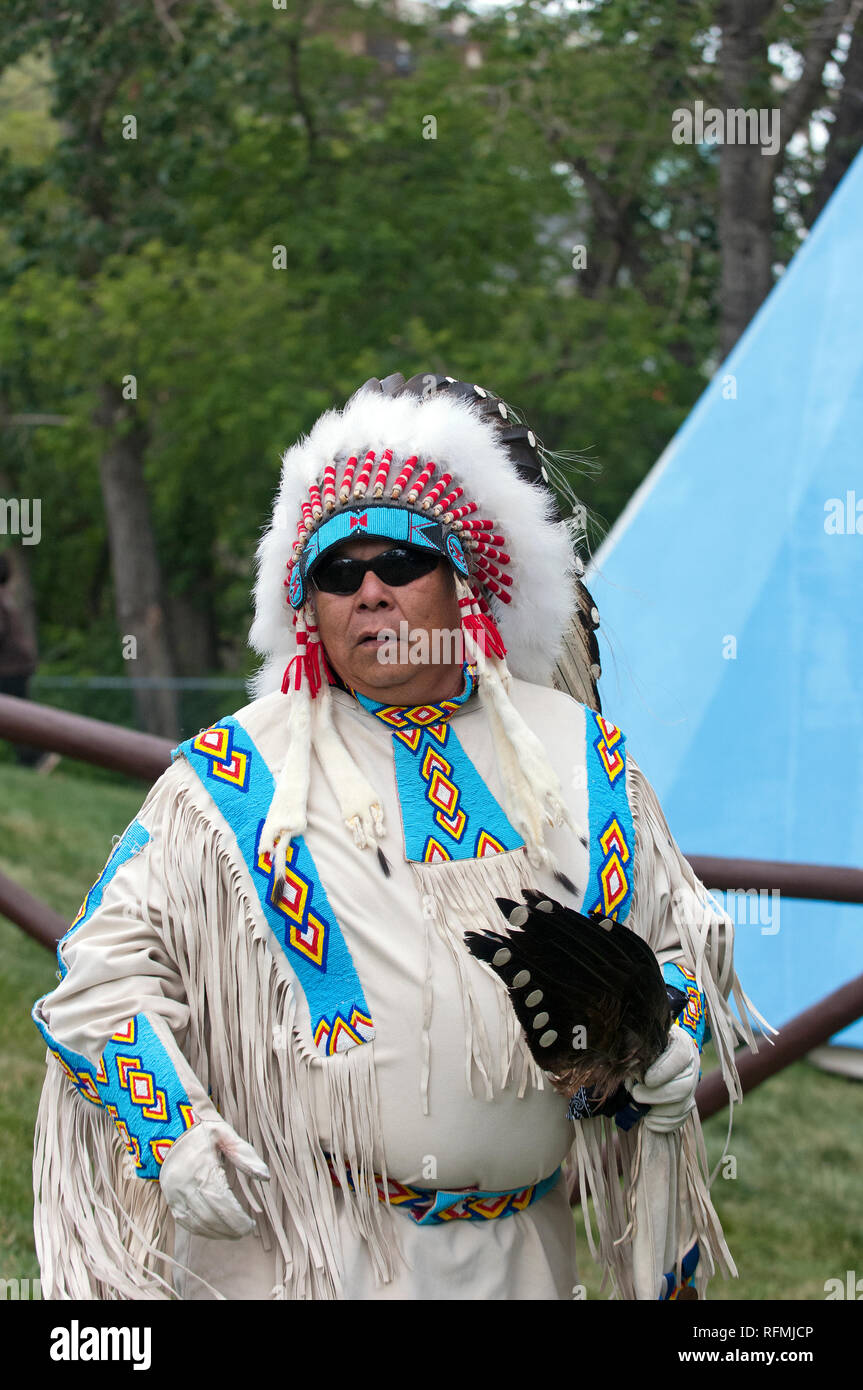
(137, 576)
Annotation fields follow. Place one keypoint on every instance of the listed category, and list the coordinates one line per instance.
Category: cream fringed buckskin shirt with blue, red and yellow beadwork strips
(344, 1029)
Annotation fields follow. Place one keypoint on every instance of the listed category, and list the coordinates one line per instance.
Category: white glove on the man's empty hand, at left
(195, 1185)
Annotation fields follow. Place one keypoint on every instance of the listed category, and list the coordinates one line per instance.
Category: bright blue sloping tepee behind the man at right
(732, 597)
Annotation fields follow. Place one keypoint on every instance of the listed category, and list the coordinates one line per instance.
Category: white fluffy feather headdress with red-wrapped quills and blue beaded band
(457, 458)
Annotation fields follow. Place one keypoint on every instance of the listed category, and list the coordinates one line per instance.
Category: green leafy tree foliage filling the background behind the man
(258, 130)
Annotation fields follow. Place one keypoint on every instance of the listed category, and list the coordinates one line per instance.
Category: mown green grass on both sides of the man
(793, 1216)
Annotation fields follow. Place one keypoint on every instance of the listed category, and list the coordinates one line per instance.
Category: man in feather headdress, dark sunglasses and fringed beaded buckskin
(268, 993)
